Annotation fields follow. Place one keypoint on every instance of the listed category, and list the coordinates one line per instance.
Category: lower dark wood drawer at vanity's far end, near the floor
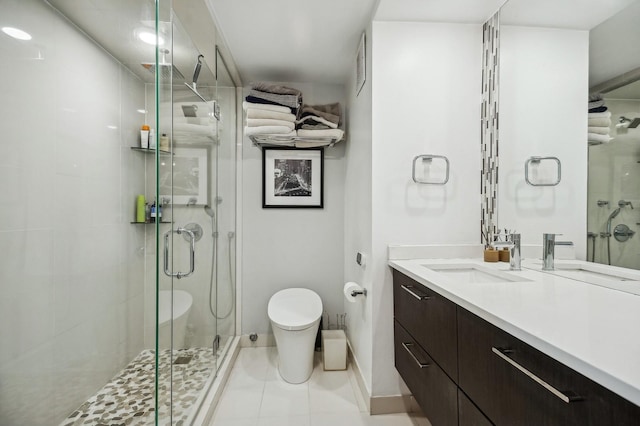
(431, 387)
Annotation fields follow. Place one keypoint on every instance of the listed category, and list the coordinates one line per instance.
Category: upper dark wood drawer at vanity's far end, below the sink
(429, 318)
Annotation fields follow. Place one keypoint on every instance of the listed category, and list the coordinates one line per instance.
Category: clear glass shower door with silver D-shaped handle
(187, 159)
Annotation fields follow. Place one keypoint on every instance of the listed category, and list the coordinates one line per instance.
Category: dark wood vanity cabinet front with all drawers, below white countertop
(491, 376)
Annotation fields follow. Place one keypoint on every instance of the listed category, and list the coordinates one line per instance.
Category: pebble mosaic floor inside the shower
(128, 399)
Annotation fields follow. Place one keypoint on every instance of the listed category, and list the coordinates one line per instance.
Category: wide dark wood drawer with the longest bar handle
(515, 384)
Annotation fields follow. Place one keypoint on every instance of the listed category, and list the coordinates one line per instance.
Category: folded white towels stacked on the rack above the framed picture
(266, 119)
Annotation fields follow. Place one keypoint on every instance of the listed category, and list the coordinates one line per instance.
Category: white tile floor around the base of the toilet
(256, 395)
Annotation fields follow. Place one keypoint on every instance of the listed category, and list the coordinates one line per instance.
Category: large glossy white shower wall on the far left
(72, 265)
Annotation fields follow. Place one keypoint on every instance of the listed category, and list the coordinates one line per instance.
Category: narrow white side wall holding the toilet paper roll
(358, 214)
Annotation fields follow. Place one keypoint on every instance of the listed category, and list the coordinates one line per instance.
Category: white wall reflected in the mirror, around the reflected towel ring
(543, 96)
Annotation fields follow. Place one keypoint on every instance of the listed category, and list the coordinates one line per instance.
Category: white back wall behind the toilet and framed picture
(292, 247)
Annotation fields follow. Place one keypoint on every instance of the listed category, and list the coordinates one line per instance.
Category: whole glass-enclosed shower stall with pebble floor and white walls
(118, 270)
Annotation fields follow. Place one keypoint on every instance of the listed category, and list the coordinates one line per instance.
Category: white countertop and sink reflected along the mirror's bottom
(596, 274)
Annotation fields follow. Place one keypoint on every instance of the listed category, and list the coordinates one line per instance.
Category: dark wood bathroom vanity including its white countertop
(478, 344)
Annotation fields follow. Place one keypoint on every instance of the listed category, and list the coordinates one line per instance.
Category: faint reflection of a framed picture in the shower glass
(189, 176)
